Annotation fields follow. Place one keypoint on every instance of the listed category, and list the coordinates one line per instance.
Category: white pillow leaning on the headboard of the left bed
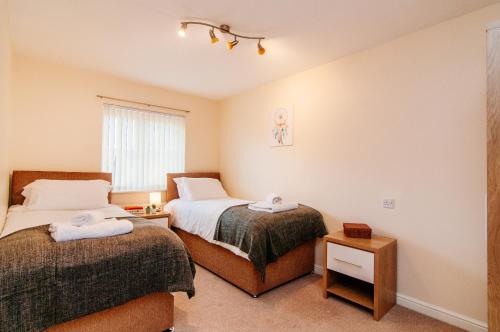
(66, 194)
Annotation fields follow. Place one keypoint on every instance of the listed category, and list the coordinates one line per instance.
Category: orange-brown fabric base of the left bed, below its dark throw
(150, 313)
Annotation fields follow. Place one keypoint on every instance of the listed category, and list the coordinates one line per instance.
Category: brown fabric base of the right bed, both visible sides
(241, 272)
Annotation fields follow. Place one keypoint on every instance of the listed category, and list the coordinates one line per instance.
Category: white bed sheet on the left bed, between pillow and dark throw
(20, 217)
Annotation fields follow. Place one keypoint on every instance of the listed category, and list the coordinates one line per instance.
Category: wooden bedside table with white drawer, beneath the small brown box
(361, 270)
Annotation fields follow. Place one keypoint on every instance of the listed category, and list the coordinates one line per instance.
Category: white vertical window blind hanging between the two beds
(141, 147)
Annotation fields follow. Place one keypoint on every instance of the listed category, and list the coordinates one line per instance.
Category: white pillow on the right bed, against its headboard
(196, 189)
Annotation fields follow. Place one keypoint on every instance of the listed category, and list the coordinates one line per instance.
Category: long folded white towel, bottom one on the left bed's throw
(65, 232)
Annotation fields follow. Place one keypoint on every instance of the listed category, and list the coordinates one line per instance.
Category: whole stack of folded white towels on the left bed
(89, 224)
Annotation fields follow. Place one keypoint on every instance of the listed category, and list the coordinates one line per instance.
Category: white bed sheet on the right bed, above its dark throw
(200, 218)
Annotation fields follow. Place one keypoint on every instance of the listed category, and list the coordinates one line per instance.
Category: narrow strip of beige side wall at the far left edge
(5, 73)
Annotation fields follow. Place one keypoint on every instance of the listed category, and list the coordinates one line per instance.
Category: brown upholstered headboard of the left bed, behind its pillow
(22, 178)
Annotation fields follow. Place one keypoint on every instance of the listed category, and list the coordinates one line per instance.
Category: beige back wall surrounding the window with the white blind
(57, 119)
